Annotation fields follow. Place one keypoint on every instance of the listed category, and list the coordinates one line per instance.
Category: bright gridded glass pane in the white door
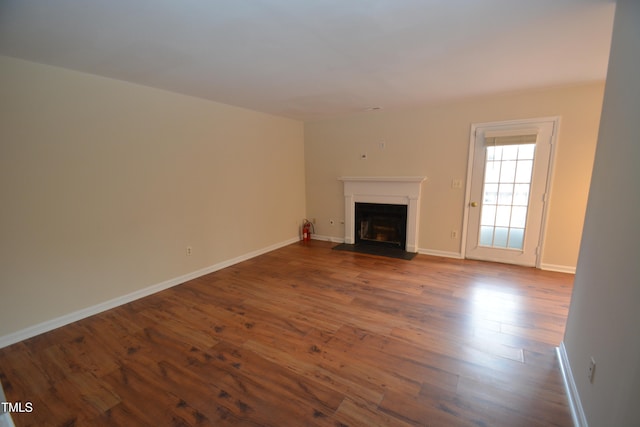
(505, 199)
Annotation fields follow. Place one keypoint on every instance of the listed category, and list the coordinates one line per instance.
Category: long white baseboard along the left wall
(52, 324)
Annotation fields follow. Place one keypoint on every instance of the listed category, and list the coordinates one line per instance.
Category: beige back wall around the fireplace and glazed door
(434, 142)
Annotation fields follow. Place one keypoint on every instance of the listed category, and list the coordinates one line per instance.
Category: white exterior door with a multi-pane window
(507, 193)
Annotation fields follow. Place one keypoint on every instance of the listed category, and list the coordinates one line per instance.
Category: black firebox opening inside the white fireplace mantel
(381, 225)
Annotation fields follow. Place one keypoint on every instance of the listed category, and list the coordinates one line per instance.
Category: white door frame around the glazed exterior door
(550, 174)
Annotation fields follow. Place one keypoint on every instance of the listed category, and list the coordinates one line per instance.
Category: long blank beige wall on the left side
(103, 185)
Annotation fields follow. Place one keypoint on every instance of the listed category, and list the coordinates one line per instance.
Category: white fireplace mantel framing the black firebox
(394, 190)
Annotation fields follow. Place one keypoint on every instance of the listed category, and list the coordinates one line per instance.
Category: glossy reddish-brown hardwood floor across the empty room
(308, 336)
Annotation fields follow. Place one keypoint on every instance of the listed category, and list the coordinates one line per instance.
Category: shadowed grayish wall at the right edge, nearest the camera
(604, 317)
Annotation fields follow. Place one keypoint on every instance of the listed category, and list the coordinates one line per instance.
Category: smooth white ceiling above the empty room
(310, 59)
